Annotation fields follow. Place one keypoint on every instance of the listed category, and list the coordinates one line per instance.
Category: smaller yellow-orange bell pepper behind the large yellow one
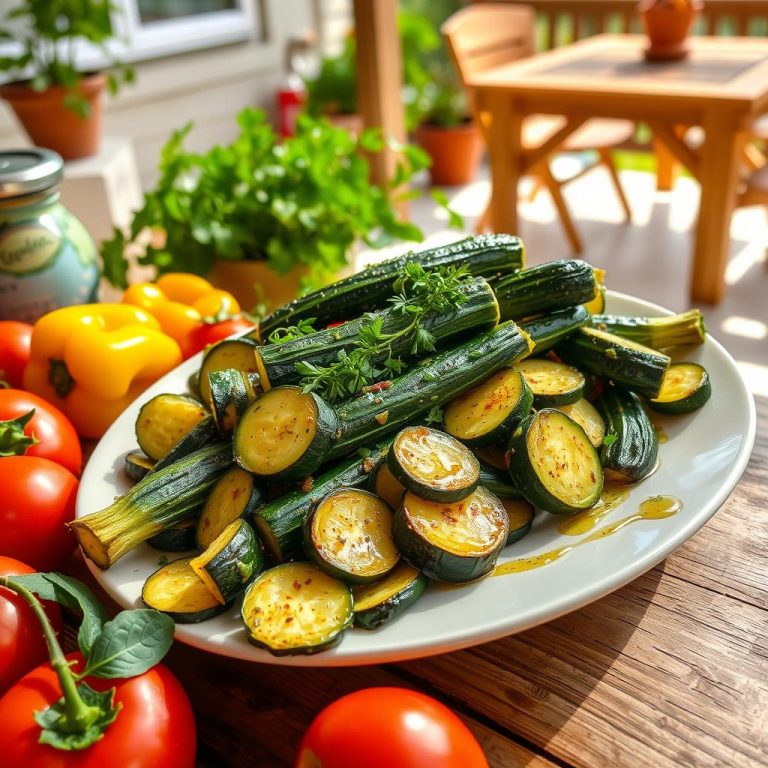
(180, 302)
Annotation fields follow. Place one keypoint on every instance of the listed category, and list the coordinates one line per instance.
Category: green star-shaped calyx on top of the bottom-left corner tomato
(57, 731)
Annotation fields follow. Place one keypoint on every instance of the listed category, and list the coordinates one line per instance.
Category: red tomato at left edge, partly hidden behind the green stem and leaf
(22, 645)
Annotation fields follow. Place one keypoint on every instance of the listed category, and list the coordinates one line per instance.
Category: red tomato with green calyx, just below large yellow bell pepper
(58, 440)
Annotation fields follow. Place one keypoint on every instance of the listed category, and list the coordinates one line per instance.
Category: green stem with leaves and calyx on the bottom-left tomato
(127, 646)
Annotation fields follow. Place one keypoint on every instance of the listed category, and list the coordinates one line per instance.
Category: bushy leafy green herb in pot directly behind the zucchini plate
(291, 211)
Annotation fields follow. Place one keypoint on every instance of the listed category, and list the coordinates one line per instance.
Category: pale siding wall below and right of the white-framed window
(209, 87)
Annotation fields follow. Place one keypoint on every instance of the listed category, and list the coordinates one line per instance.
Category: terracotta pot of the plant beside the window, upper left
(50, 124)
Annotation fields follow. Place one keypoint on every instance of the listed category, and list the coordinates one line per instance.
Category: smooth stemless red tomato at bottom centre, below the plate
(386, 727)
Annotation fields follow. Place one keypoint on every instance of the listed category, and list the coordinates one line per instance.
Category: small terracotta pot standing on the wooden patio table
(667, 24)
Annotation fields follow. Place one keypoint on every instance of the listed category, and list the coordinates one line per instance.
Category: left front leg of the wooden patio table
(504, 152)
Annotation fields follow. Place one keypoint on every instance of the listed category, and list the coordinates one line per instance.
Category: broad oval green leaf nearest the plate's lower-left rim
(130, 644)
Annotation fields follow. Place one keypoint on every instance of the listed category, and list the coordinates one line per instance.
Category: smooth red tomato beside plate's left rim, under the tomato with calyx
(38, 498)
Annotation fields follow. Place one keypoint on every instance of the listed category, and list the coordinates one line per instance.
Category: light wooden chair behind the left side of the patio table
(486, 35)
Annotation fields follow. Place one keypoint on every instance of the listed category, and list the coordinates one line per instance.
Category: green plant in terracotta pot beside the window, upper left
(58, 105)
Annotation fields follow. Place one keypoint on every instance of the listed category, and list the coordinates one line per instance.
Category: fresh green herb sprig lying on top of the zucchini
(376, 355)
